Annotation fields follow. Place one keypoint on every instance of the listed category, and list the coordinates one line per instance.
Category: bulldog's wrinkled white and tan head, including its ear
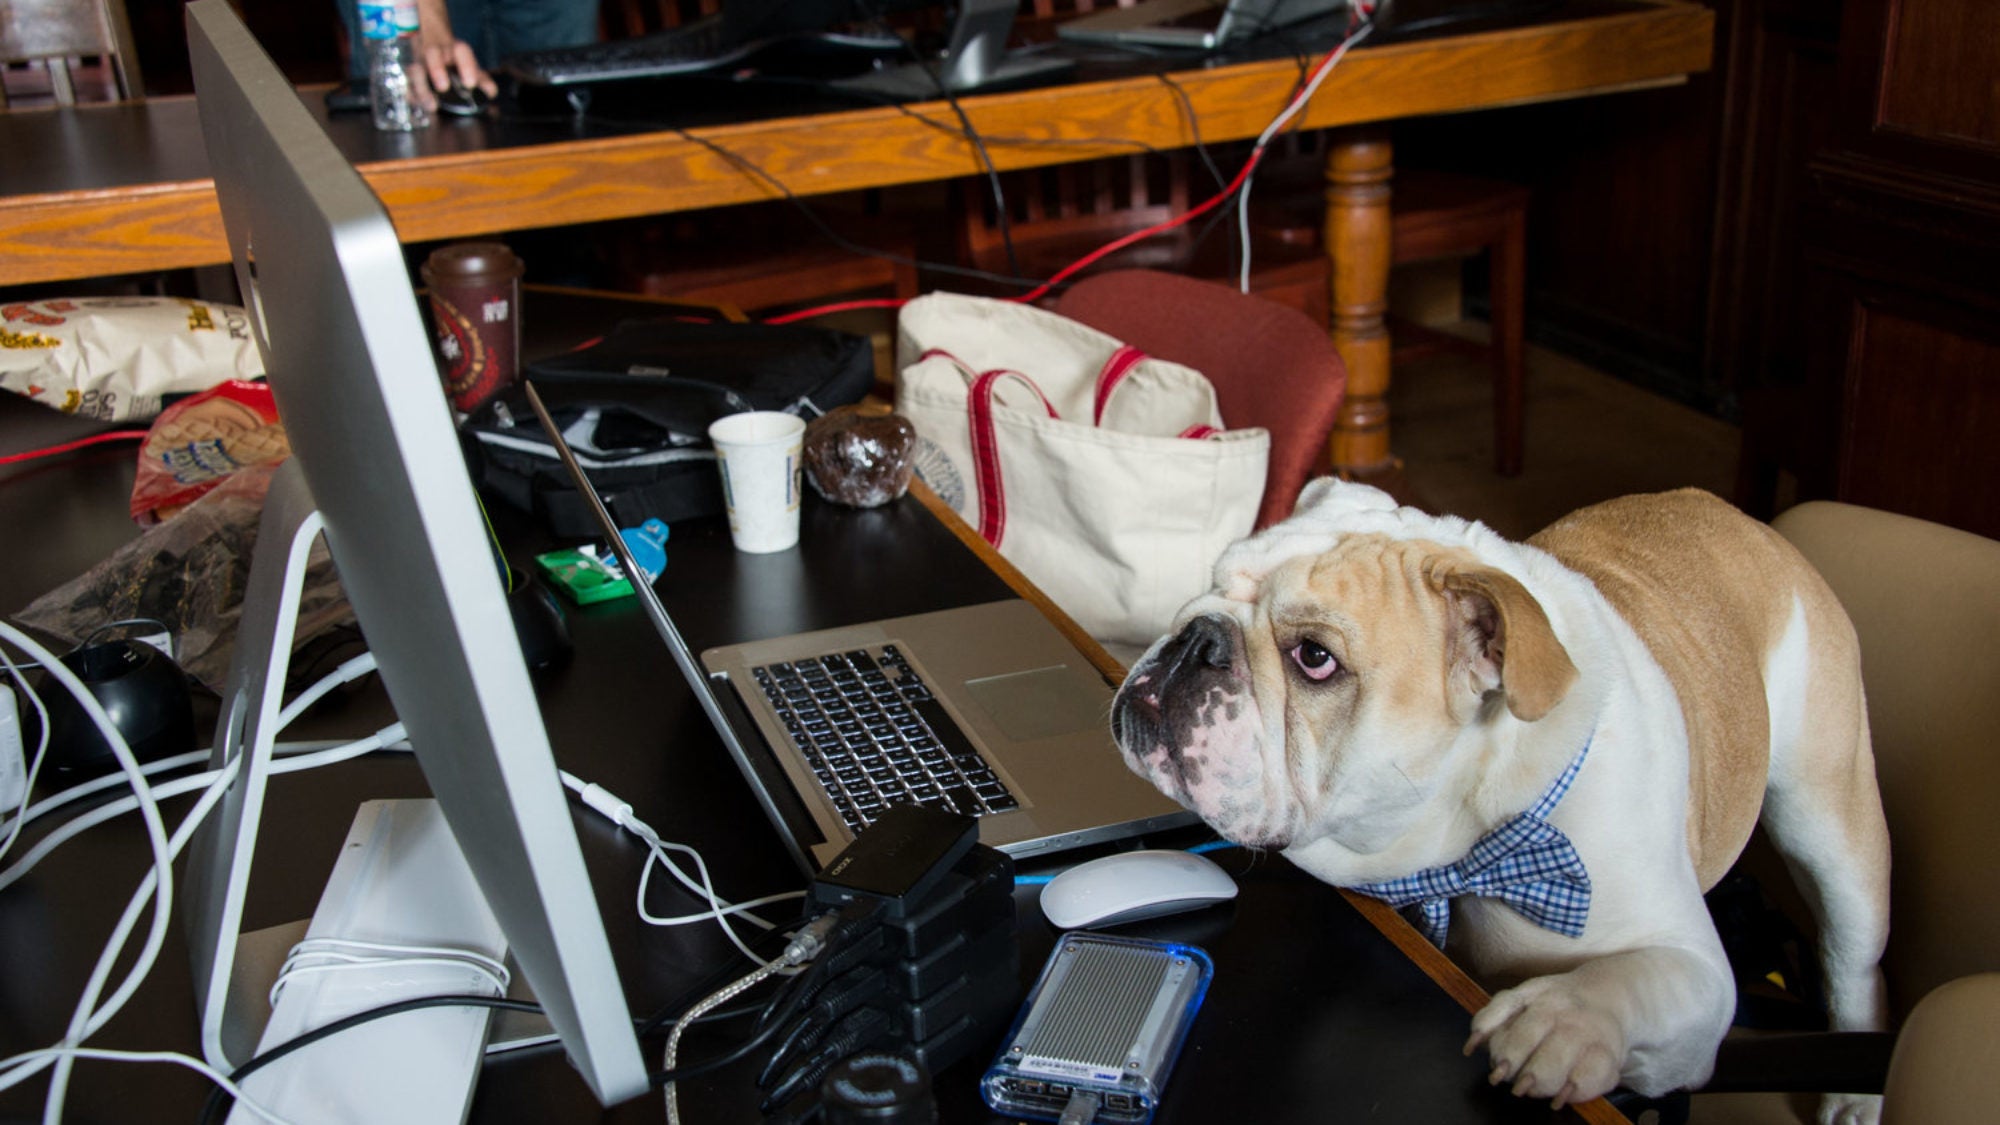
(1327, 688)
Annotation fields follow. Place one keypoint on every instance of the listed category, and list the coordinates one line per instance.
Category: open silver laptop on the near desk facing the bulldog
(987, 710)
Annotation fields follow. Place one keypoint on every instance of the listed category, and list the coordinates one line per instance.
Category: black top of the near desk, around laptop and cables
(1313, 1016)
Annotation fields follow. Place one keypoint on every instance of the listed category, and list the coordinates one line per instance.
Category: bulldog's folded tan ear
(1503, 640)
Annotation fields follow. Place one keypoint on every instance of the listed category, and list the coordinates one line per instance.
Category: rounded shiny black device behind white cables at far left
(141, 690)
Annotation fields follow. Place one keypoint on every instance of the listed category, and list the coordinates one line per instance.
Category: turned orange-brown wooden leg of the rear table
(1359, 245)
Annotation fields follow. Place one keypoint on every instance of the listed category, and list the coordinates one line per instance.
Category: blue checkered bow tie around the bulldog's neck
(1527, 864)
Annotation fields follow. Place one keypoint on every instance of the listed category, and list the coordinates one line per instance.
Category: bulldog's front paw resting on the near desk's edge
(1549, 1044)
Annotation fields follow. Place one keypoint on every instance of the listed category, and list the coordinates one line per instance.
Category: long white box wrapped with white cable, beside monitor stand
(399, 880)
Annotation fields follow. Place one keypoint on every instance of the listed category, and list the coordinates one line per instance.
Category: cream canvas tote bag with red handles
(1103, 473)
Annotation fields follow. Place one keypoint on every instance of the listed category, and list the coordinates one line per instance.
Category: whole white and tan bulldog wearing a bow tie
(1385, 694)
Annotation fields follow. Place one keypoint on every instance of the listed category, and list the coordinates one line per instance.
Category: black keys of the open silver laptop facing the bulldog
(875, 736)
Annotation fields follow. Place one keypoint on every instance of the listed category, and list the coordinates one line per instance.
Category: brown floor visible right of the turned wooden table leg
(1589, 437)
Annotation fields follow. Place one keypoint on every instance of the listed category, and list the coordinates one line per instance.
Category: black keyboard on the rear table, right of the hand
(695, 49)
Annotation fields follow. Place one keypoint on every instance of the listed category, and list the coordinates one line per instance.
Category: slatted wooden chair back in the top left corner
(53, 35)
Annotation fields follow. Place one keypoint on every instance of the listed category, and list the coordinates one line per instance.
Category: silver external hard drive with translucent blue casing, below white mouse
(1101, 1030)
